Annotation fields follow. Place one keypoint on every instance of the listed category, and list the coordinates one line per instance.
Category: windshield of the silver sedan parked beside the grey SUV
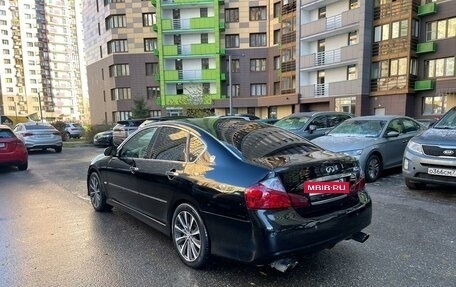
(363, 128)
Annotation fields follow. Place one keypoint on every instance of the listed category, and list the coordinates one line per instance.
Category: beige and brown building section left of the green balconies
(121, 65)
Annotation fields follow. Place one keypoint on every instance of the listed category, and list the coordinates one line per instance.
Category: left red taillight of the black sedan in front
(270, 194)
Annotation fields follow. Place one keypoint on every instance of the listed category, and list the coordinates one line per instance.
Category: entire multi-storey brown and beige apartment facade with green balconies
(270, 57)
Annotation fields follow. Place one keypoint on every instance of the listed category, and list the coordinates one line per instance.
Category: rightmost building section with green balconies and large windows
(435, 86)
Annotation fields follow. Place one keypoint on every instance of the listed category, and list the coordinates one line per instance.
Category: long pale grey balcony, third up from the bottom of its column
(335, 25)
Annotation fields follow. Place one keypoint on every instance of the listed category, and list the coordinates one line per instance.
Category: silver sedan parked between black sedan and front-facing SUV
(378, 142)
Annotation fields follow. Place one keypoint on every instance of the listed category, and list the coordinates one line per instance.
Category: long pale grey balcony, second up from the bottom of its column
(330, 59)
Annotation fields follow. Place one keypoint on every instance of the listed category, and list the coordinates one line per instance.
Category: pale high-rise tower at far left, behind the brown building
(40, 60)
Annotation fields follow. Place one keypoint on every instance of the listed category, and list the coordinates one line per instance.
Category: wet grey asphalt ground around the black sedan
(51, 236)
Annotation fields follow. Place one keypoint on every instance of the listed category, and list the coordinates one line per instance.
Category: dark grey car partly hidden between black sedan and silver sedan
(311, 125)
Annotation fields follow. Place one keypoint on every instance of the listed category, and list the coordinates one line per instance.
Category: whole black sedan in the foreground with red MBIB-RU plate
(232, 188)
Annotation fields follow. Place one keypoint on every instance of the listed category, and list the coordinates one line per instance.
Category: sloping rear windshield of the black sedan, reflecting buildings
(255, 139)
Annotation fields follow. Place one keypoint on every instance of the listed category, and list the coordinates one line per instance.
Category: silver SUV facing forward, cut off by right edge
(430, 157)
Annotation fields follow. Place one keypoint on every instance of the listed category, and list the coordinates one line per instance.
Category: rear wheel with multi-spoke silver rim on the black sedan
(190, 238)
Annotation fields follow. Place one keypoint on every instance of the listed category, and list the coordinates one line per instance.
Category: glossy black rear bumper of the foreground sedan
(280, 234)
